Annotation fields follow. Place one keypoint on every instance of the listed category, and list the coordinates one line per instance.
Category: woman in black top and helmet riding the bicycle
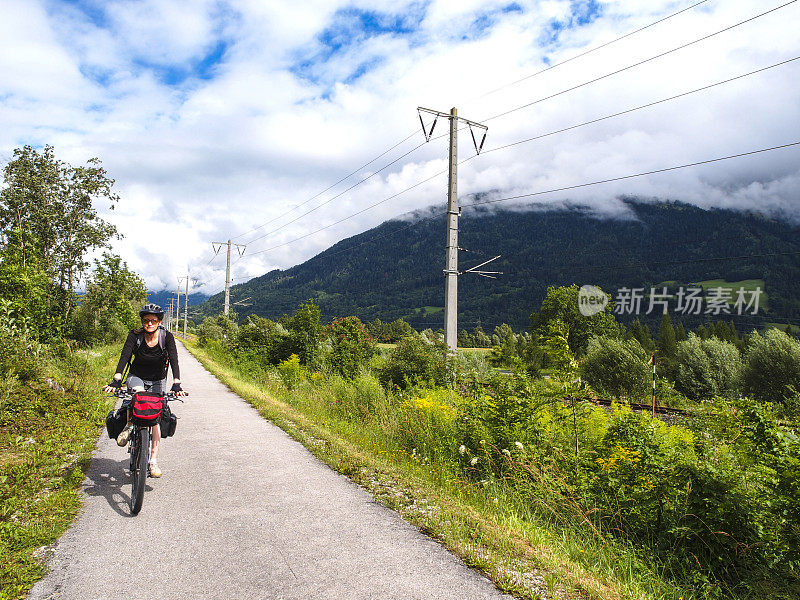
(153, 349)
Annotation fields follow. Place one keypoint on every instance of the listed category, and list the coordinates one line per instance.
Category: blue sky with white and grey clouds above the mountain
(216, 117)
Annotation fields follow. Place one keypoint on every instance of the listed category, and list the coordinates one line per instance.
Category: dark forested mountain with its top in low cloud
(395, 269)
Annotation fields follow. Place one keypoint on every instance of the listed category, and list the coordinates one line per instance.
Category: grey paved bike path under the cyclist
(242, 511)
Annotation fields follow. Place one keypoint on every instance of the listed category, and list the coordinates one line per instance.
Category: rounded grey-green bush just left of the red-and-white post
(617, 367)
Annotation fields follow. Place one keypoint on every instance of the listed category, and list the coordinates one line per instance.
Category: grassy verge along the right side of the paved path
(487, 523)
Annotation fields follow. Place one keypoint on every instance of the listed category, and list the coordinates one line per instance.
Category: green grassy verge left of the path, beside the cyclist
(47, 436)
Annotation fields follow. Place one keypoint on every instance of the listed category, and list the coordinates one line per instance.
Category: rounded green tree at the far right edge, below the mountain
(771, 371)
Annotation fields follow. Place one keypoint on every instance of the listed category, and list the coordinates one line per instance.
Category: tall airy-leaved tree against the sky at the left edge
(54, 202)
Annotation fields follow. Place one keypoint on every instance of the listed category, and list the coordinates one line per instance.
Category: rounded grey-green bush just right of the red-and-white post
(707, 368)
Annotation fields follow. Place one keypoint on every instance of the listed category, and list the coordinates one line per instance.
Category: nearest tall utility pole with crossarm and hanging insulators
(453, 211)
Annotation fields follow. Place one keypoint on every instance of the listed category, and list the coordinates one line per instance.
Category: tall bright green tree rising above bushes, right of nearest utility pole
(561, 304)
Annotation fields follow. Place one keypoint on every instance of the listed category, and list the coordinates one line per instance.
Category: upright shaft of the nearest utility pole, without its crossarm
(451, 271)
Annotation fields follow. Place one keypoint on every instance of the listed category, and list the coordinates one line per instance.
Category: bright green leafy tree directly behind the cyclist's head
(109, 308)
